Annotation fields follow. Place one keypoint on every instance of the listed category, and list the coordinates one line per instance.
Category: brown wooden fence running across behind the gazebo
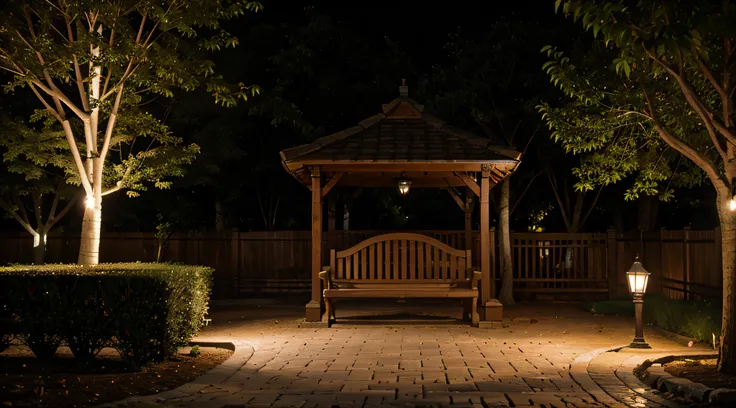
(684, 264)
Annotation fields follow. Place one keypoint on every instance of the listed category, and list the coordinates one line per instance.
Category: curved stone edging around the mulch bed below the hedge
(242, 352)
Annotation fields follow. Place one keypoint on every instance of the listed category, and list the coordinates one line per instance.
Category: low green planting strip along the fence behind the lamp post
(698, 320)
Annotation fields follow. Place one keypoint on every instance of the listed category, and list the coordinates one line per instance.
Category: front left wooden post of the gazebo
(314, 307)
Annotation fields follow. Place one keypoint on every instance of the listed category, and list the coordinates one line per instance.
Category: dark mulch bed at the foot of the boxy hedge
(65, 382)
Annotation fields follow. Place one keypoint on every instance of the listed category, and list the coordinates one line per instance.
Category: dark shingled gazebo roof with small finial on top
(403, 133)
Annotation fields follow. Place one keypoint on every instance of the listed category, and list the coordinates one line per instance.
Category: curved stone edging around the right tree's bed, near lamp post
(656, 377)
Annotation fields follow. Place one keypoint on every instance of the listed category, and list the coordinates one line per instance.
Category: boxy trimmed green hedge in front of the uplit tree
(144, 310)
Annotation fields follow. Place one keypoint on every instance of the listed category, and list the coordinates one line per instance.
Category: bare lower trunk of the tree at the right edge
(727, 352)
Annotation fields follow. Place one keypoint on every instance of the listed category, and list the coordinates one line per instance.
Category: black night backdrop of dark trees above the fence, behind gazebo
(326, 65)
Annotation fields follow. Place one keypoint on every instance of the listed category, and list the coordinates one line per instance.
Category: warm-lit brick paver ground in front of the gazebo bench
(548, 356)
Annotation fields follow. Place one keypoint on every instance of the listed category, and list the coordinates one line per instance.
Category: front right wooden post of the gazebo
(485, 250)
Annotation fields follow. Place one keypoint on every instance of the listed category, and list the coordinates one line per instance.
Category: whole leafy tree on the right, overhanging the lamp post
(657, 85)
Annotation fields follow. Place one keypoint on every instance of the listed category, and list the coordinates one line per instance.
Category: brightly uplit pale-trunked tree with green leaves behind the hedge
(94, 64)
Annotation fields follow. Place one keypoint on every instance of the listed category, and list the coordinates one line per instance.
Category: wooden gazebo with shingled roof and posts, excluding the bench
(403, 142)
